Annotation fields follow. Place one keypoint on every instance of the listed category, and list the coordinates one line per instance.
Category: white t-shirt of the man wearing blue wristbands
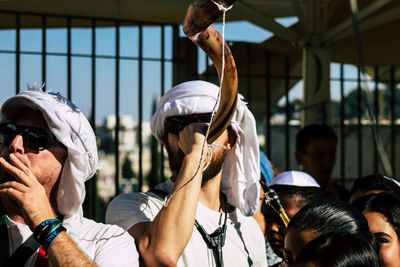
(106, 245)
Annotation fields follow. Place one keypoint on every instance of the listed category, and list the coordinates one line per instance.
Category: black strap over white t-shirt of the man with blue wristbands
(22, 254)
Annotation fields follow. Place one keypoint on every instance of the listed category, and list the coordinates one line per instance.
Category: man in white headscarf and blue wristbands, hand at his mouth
(48, 151)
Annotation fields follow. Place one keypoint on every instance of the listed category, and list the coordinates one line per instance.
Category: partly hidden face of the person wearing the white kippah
(275, 229)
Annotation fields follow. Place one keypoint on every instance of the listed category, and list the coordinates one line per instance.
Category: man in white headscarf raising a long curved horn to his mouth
(199, 217)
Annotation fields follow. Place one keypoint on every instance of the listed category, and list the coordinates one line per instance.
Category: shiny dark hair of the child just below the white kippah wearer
(330, 216)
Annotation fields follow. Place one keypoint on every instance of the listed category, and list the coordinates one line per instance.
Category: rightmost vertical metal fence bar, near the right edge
(393, 118)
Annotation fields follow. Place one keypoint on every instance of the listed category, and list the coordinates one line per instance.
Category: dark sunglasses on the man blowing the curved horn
(176, 124)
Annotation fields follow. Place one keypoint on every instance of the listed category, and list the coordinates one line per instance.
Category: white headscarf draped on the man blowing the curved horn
(241, 171)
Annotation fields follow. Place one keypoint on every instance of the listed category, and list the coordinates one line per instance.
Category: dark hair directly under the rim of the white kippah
(305, 194)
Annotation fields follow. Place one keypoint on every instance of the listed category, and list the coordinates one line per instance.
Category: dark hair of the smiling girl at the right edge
(383, 203)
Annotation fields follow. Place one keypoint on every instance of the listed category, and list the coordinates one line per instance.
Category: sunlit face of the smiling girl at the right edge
(386, 237)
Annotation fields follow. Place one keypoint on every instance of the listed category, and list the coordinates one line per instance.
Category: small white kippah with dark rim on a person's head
(294, 178)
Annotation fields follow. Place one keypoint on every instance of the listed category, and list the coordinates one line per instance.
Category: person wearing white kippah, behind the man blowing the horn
(295, 189)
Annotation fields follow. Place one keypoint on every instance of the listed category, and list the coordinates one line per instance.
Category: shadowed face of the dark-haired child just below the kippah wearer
(294, 243)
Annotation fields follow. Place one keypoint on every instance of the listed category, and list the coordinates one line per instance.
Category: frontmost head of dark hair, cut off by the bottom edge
(337, 250)
